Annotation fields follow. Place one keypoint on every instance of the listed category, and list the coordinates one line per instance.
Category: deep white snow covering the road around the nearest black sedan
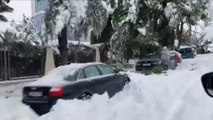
(176, 95)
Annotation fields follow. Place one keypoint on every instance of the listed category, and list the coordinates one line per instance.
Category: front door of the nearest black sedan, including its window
(113, 82)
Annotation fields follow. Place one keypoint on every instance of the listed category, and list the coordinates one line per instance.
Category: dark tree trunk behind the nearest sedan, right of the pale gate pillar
(62, 40)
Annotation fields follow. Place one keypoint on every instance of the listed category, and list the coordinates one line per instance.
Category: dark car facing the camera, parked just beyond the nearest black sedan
(162, 59)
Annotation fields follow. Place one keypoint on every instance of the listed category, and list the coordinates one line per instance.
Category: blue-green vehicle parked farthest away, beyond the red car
(187, 52)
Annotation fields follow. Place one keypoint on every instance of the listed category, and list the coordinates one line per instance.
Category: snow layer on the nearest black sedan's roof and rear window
(57, 75)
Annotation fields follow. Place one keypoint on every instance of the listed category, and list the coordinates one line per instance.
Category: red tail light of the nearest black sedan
(56, 92)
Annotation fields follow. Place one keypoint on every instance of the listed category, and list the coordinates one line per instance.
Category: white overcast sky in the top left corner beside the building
(20, 7)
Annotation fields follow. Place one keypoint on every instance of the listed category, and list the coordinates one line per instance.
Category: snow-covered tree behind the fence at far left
(23, 31)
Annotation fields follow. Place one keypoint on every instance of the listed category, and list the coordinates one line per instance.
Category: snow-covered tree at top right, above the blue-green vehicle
(185, 12)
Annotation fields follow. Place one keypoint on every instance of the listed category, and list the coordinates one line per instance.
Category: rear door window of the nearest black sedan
(91, 71)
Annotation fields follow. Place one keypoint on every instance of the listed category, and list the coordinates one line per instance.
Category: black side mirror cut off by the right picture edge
(207, 81)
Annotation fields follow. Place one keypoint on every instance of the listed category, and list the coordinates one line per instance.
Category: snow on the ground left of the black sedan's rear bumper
(11, 107)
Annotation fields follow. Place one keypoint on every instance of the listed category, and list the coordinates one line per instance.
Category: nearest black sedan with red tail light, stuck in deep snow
(79, 81)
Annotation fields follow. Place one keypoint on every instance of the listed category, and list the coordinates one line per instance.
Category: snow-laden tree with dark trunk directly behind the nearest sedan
(60, 15)
